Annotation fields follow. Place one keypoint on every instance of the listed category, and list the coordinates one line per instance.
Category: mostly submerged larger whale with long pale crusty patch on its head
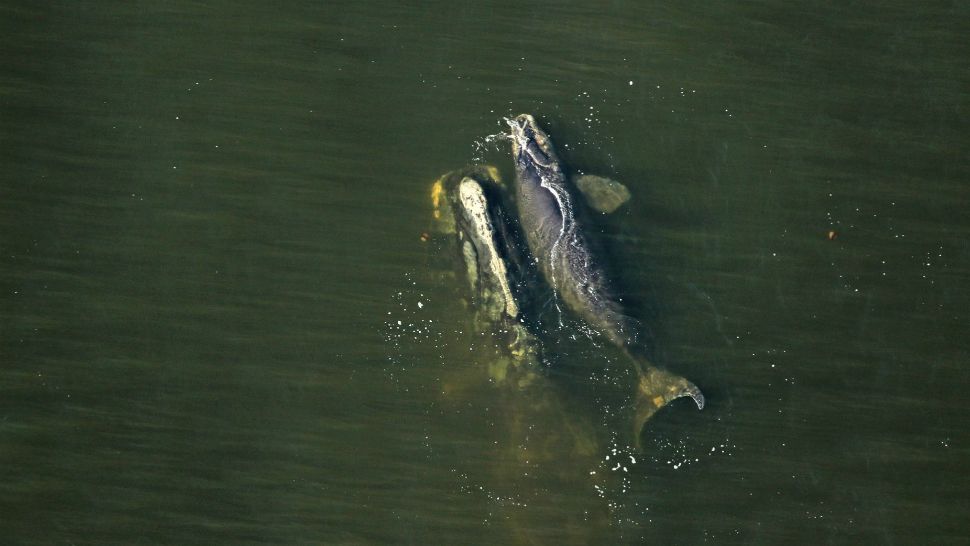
(535, 429)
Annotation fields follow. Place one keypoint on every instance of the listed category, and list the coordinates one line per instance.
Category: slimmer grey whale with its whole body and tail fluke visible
(547, 216)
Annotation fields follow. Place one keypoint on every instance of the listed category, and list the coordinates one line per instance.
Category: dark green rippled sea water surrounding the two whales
(209, 227)
